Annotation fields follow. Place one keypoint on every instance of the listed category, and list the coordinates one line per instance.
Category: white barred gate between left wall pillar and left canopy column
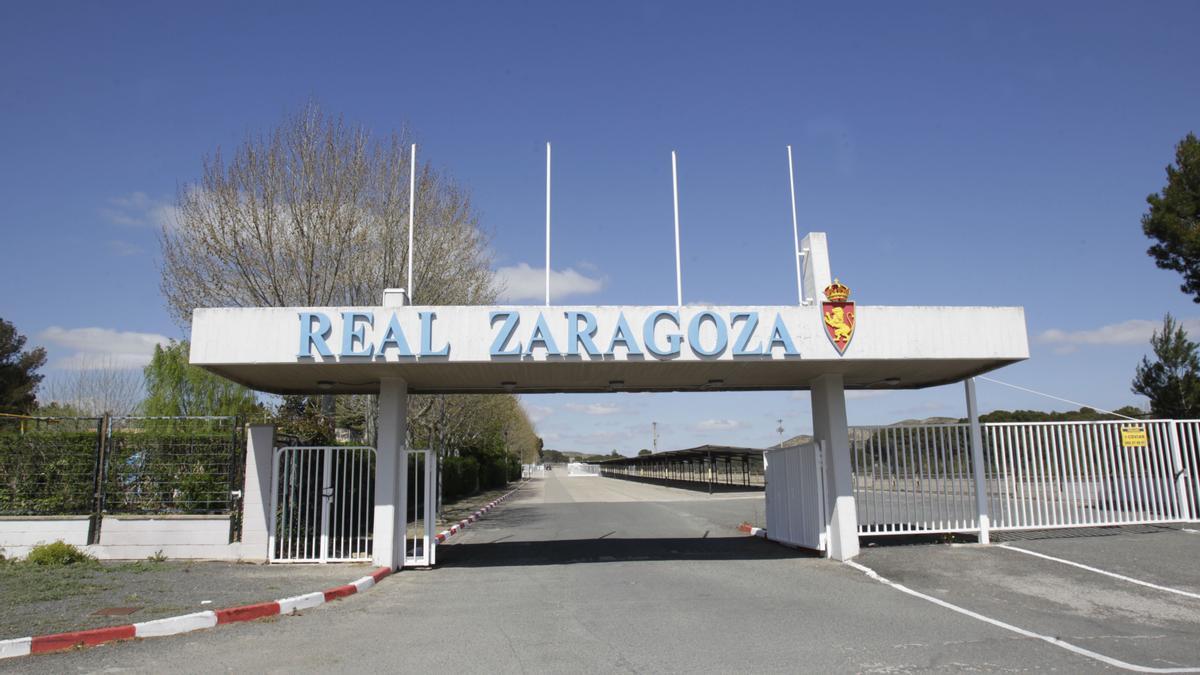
(323, 504)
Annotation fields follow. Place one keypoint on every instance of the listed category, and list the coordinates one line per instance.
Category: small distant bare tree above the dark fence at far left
(95, 389)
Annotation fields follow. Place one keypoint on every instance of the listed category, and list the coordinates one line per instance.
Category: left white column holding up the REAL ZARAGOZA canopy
(389, 528)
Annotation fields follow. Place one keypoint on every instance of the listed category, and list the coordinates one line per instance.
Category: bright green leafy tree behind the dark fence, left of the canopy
(175, 387)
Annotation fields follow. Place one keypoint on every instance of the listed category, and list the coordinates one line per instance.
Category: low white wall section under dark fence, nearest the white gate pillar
(127, 537)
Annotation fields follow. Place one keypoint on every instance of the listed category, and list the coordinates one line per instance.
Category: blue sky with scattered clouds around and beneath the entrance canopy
(957, 154)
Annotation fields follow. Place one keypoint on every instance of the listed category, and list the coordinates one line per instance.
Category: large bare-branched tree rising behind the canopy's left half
(316, 213)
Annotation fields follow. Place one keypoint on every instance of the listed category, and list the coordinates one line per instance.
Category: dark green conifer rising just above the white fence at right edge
(1172, 383)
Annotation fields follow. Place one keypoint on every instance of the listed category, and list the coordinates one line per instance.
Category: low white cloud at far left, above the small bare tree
(101, 348)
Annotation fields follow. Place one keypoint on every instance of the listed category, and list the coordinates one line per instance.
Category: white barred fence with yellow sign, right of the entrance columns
(1035, 476)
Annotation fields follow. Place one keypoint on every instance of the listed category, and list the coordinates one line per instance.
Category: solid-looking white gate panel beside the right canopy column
(796, 501)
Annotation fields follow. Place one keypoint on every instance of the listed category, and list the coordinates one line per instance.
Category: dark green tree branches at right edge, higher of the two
(1173, 218)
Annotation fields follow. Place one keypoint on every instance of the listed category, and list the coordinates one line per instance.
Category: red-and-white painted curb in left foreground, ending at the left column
(184, 624)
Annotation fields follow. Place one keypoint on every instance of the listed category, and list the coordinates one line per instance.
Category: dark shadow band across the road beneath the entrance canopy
(569, 552)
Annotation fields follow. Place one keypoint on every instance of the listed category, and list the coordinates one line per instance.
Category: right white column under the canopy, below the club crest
(830, 427)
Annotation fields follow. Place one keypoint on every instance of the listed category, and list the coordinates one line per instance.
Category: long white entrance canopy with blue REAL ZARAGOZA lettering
(598, 349)
